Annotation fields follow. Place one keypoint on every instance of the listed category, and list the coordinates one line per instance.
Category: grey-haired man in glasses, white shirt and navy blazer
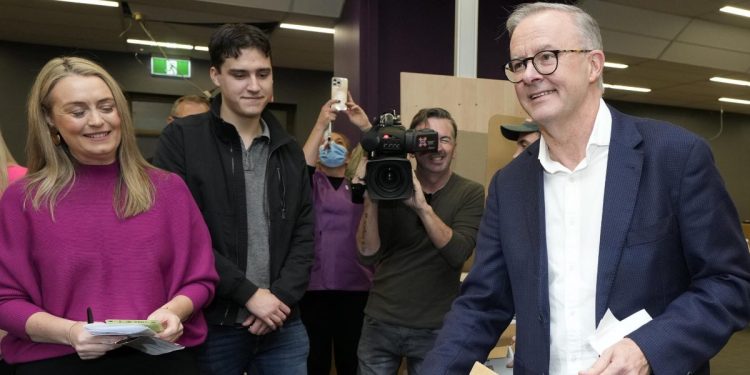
(605, 212)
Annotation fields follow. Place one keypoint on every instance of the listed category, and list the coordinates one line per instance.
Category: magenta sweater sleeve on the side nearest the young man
(193, 271)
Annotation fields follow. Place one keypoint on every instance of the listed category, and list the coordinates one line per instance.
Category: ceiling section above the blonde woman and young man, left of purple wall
(55, 23)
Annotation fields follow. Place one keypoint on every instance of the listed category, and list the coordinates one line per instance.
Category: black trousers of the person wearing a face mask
(334, 323)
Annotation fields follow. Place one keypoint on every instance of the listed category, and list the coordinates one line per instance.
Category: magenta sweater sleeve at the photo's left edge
(19, 287)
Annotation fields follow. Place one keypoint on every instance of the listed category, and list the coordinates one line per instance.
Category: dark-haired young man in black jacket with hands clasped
(250, 180)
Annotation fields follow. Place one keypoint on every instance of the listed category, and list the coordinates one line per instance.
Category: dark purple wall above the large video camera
(394, 36)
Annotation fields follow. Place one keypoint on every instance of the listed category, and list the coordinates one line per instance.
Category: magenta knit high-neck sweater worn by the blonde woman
(88, 257)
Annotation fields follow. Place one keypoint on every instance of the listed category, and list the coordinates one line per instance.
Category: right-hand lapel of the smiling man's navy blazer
(620, 192)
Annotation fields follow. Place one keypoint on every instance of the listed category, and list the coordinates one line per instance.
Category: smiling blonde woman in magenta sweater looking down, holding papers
(94, 226)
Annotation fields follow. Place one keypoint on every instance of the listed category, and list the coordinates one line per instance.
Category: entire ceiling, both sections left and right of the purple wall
(672, 46)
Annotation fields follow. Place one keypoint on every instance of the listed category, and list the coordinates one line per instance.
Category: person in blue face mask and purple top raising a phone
(333, 306)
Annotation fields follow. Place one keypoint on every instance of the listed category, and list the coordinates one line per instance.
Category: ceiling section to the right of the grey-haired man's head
(674, 47)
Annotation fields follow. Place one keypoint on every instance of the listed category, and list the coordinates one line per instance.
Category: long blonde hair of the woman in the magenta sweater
(51, 167)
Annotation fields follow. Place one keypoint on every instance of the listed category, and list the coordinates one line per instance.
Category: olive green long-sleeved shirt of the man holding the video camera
(414, 282)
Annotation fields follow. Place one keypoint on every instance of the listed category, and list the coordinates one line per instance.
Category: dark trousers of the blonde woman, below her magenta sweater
(125, 361)
